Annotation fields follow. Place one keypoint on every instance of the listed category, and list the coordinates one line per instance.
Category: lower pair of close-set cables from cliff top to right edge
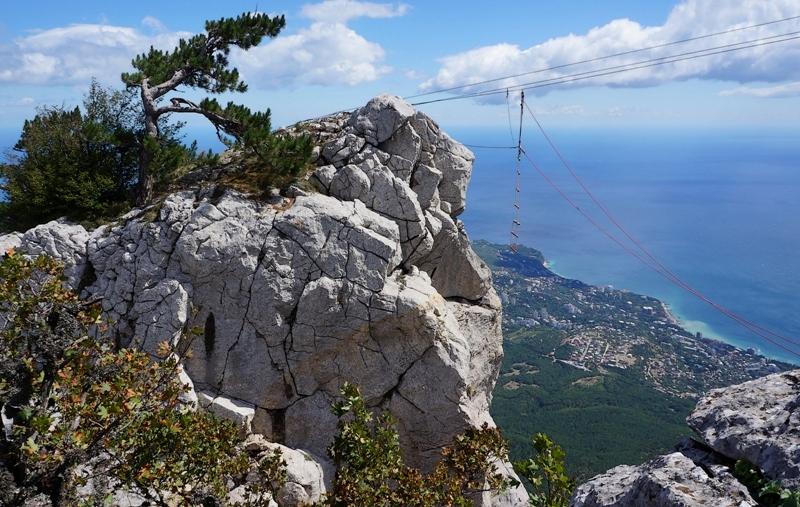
(653, 62)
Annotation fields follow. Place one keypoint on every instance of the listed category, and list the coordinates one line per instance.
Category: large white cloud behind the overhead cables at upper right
(691, 18)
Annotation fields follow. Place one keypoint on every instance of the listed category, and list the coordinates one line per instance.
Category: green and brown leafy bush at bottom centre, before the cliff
(371, 471)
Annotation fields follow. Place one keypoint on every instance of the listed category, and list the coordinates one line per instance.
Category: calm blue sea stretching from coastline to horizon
(719, 206)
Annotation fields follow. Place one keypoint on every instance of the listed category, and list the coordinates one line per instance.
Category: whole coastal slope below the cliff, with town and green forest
(608, 374)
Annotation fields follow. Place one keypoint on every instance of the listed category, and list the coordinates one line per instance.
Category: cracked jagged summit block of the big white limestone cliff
(417, 177)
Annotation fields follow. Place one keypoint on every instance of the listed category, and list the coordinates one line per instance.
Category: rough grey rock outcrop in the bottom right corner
(756, 421)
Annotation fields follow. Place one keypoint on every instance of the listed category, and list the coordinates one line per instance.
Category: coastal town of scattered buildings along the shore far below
(606, 328)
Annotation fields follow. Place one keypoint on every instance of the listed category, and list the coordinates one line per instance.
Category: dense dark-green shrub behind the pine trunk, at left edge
(82, 165)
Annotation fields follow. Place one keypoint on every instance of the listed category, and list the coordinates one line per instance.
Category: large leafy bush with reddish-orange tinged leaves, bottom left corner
(84, 413)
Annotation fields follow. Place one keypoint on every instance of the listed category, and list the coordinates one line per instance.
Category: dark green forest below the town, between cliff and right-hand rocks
(600, 421)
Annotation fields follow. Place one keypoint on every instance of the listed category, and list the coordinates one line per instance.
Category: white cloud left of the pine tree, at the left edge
(76, 53)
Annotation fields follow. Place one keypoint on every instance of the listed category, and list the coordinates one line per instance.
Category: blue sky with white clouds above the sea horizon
(337, 54)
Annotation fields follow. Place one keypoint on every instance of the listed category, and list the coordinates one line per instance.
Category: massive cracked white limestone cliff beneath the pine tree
(371, 281)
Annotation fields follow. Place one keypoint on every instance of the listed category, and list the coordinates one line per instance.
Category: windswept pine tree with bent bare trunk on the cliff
(202, 63)
